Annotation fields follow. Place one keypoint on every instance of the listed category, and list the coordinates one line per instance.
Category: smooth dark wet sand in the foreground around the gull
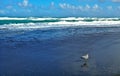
(62, 57)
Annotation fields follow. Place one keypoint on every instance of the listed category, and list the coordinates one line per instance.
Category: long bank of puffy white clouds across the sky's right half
(87, 7)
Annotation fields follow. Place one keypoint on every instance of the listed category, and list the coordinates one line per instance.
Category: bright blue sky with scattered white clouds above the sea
(60, 8)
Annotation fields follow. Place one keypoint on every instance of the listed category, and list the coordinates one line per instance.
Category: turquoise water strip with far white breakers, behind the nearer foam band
(7, 20)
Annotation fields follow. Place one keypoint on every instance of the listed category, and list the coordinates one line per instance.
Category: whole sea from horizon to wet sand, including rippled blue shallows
(27, 29)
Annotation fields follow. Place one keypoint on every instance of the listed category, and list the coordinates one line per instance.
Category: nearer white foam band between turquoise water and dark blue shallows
(62, 24)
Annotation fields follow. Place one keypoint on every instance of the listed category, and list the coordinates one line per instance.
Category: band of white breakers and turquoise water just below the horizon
(47, 23)
